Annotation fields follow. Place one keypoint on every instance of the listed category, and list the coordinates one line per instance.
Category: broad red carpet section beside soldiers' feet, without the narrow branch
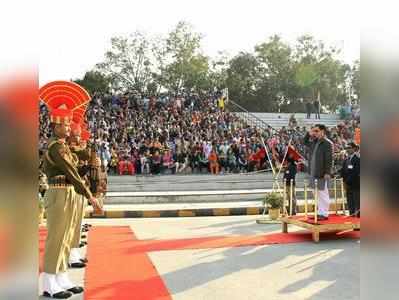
(114, 273)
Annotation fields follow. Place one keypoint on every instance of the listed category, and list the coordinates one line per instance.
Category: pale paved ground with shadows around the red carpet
(328, 270)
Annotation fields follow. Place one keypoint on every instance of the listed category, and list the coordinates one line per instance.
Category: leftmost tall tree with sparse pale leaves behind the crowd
(130, 61)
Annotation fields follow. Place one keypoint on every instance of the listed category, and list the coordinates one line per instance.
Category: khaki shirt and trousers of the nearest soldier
(60, 204)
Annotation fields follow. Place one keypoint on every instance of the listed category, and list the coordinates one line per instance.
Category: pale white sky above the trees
(74, 35)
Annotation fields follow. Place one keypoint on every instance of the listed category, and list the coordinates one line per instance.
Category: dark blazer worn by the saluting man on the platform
(324, 157)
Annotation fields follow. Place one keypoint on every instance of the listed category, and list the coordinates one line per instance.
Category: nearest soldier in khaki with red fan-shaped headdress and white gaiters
(64, 183)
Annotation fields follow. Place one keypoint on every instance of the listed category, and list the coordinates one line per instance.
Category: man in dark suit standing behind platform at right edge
(350, 173)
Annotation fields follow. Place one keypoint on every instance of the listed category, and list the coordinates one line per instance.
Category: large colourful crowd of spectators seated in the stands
(187, 133)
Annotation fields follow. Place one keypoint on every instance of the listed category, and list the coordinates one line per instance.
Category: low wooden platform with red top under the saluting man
(334, 223)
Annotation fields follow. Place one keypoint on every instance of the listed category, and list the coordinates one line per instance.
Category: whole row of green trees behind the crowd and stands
(275, 76)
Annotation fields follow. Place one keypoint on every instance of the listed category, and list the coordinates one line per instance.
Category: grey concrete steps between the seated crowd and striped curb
(172, 189)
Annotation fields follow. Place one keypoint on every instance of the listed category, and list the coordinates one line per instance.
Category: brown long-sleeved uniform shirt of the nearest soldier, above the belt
(59, 161)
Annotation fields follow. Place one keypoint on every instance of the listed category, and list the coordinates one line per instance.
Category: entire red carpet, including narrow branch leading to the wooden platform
(119, 267)
